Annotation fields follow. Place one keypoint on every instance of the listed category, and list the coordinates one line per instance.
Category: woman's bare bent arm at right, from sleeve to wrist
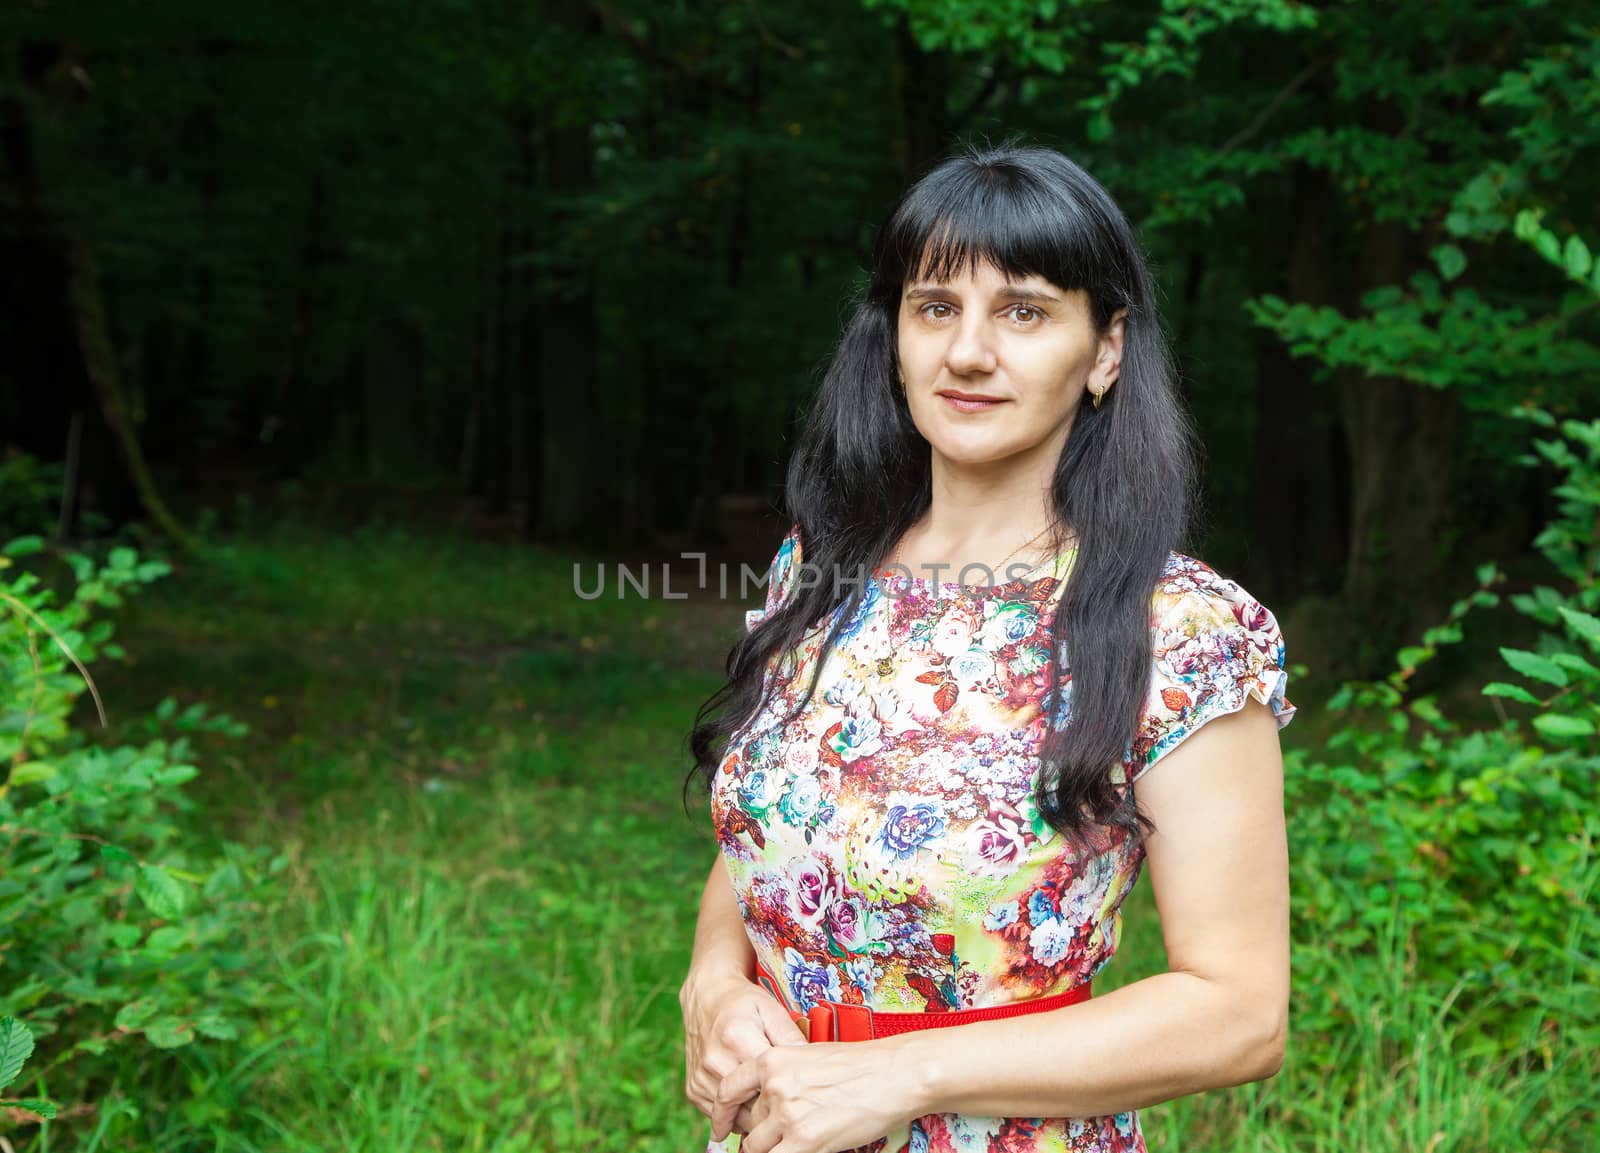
(1217, 1018)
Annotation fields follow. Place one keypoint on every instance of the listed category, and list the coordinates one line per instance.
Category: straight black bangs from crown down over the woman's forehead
(994, 213)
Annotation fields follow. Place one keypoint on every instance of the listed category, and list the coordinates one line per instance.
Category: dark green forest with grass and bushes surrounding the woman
(332, 337)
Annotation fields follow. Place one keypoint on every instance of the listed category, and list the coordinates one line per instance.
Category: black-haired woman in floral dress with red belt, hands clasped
(932, 788)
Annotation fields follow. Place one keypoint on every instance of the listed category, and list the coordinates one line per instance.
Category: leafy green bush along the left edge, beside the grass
(122, 940)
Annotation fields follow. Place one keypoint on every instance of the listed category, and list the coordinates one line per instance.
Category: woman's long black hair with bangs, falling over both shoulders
(1124, 485)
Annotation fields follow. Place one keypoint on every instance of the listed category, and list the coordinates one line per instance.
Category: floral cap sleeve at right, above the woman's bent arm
(1215, 647)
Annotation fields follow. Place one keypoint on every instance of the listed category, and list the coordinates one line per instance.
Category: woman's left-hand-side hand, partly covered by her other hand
(727, 1021)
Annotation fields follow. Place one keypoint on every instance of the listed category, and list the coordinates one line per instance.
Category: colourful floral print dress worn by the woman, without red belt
(884, 845)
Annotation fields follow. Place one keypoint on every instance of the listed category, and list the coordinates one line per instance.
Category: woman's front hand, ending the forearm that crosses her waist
(818, 1098)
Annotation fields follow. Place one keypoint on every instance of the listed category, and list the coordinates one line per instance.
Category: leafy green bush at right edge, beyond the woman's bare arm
(1474, 850)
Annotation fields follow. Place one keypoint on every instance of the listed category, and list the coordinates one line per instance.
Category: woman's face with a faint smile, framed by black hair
(1025, 351)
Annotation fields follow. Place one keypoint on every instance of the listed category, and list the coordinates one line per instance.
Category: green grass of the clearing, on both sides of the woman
(490, 885)
